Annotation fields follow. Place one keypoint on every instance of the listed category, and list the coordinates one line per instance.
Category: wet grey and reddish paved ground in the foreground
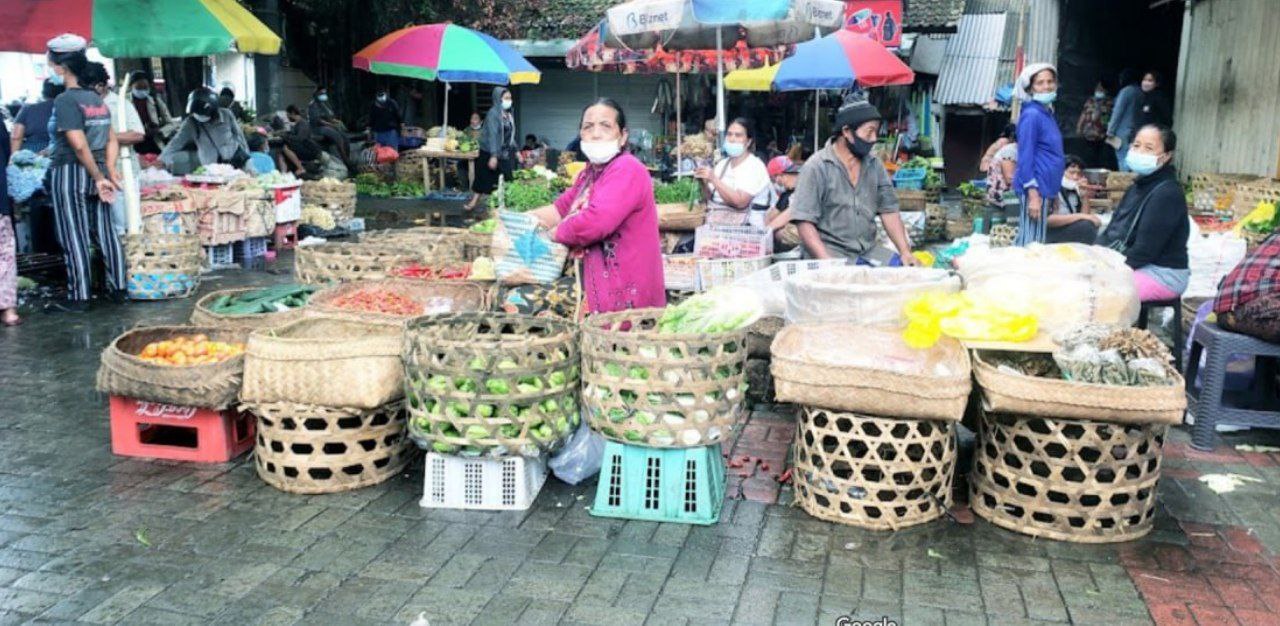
(89, 537)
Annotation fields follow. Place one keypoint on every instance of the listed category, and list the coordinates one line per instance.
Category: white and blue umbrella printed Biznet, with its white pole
(719, 25)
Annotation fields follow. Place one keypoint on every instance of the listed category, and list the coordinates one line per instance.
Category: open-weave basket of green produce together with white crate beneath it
(491, 396)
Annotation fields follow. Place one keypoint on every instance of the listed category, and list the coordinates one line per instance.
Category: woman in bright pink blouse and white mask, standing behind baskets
(609, 218)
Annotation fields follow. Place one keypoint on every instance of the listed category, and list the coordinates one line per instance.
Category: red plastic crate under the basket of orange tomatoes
(177, 433)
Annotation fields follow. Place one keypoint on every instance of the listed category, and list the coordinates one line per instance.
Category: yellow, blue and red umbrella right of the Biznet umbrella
(836, 62)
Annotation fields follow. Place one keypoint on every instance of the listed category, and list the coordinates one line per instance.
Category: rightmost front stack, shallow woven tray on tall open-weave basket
(1067, 460)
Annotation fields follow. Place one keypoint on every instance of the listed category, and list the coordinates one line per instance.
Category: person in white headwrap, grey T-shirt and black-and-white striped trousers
(83, 176)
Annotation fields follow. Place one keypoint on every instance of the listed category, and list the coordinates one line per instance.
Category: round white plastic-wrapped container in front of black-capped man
(870, 296)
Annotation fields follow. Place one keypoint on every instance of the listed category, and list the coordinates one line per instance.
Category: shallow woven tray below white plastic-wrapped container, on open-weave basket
(803, 380)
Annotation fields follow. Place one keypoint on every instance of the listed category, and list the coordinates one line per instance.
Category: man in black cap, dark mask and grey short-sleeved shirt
(844, 188)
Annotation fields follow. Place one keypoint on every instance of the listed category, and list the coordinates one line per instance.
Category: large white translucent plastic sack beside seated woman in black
(1064, 285)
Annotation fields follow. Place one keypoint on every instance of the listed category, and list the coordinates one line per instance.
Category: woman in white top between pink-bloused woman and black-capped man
(738, 189)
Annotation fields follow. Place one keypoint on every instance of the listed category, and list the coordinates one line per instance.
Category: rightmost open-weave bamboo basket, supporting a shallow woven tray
(1073, 481)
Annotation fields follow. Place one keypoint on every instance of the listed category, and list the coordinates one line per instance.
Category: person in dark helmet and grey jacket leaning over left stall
(213, 131)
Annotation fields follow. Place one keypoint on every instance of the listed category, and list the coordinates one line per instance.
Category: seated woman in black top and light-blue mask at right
(1150, 225)
